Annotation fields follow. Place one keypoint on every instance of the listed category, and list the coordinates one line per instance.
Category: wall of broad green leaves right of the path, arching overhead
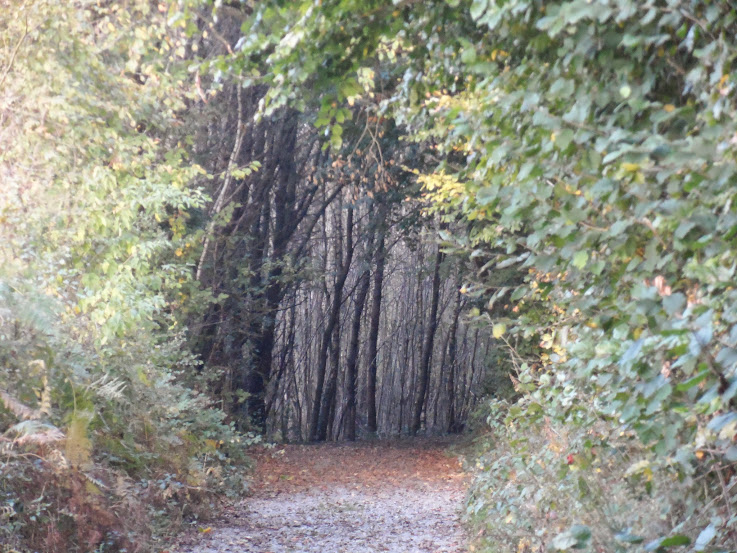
(590, 145)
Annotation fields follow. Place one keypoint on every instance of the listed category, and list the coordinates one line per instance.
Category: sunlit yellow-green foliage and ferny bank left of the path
(99, 433)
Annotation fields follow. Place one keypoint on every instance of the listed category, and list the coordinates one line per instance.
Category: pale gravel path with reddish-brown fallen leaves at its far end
(401, 496)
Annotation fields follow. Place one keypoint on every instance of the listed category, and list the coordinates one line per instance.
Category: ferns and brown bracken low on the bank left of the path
(93, 462)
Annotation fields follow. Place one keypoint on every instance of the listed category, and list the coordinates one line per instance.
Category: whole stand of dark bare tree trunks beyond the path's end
(336, 312)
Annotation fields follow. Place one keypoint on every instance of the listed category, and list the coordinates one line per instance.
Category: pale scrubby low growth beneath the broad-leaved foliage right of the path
(545, 484)
